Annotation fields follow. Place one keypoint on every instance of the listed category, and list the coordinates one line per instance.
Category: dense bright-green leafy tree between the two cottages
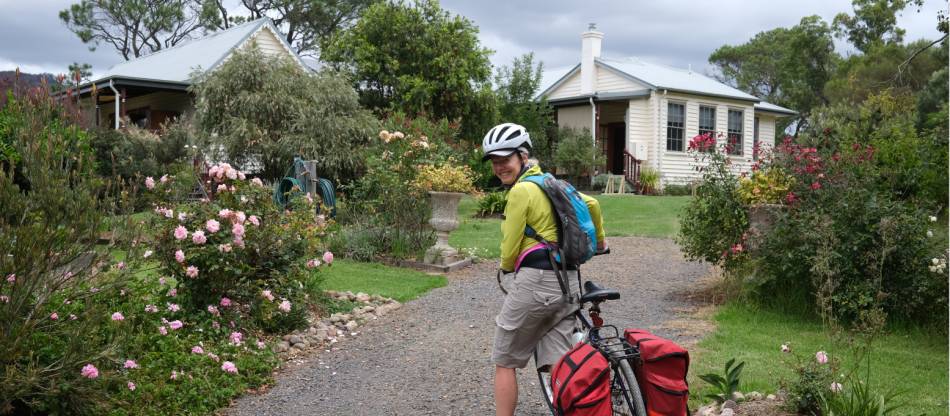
(418, 59)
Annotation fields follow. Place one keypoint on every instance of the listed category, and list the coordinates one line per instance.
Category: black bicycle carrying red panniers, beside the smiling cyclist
(624, 389)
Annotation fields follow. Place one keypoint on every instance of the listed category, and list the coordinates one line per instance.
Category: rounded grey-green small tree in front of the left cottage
(257, 109)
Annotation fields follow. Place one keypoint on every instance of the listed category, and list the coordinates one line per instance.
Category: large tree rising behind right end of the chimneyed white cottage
(784, 66)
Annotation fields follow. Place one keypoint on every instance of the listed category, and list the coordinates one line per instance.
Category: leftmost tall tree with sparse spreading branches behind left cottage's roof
(134, 27)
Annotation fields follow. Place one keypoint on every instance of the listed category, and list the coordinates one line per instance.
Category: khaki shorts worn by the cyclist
(535, 315)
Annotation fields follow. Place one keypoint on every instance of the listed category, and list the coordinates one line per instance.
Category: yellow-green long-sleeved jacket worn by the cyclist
(528, 205)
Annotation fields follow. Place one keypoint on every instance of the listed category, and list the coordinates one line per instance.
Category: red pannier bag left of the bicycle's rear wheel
(580, 383)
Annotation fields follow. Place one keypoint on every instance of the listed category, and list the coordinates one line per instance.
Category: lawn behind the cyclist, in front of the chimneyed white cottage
(624, 215)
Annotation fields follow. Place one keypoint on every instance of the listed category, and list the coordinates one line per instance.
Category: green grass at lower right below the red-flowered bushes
(910, 360)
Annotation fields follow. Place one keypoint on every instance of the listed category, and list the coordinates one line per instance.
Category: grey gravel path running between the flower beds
(432, 357)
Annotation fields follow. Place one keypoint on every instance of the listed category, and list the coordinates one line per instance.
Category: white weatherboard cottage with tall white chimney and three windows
(644, 114)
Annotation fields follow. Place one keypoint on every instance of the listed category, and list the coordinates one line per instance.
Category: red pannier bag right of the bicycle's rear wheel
(661, 373)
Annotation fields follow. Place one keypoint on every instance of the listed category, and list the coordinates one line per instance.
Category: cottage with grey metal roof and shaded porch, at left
(151, 89)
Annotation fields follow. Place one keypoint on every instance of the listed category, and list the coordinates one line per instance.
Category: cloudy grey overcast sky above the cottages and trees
(678, 32)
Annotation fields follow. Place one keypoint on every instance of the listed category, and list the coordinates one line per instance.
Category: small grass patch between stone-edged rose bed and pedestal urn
(377, 279)
